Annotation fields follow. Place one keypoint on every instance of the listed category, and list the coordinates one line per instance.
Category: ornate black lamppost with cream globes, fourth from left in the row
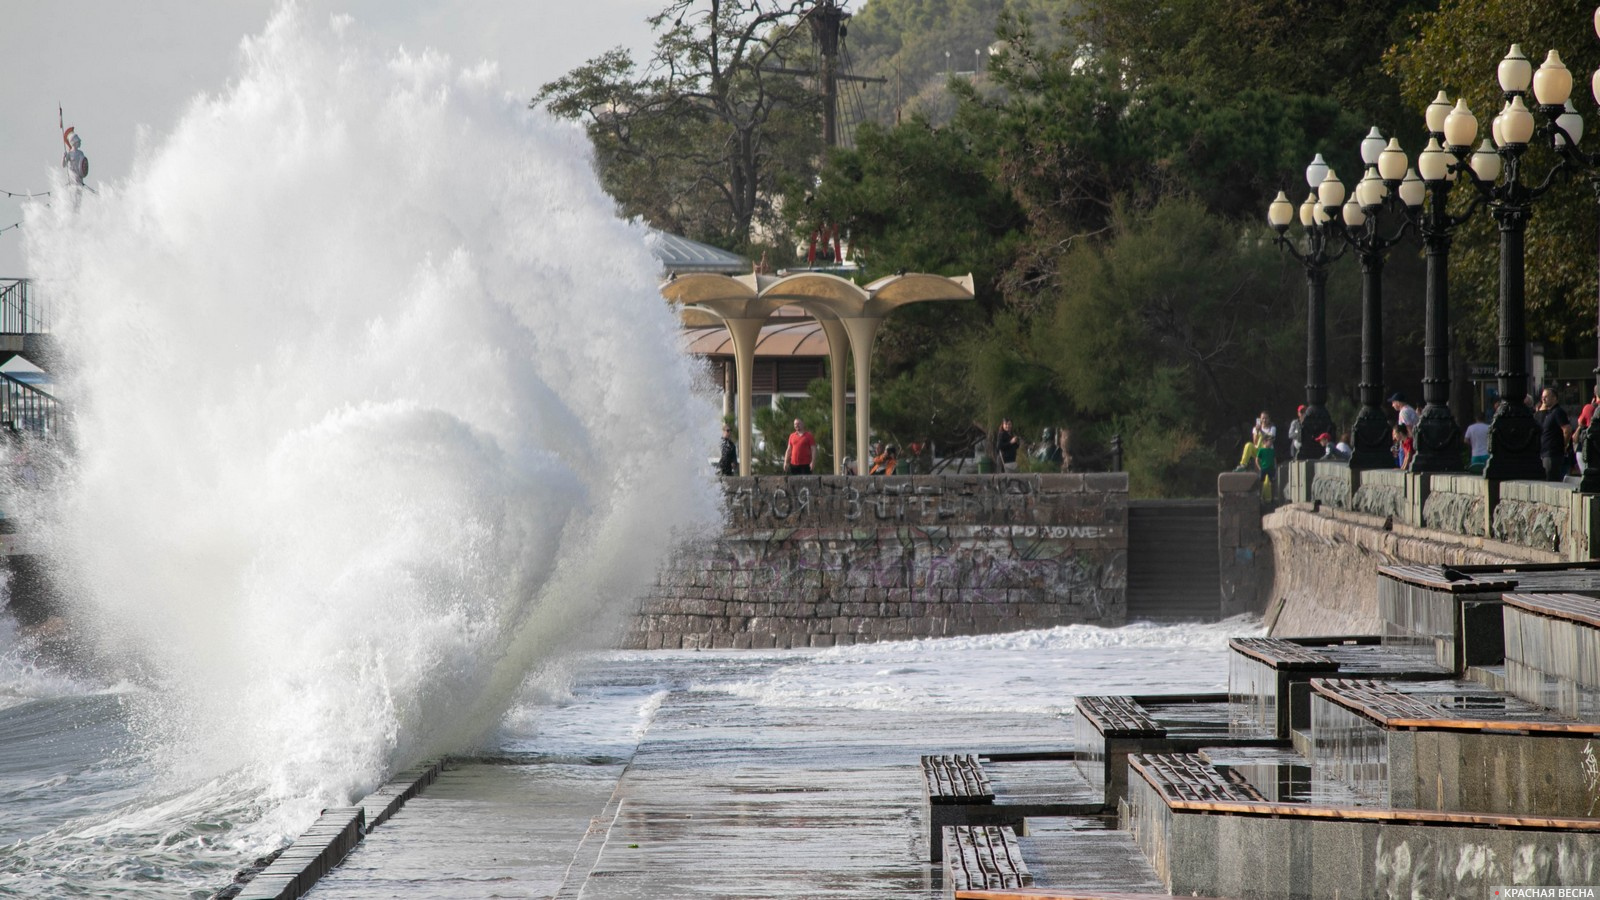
(1514, 435)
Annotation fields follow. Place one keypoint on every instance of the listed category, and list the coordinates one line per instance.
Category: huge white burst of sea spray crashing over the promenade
(375, 404)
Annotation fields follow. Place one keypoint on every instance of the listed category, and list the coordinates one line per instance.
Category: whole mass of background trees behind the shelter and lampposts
(1103, 169)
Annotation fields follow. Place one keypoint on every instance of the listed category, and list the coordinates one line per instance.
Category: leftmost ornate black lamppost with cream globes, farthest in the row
(1318, 219)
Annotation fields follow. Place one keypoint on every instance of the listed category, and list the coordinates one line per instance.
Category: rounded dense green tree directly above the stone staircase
(1174, 332)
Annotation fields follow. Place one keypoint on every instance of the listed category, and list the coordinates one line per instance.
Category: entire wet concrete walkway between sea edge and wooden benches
(722, 798)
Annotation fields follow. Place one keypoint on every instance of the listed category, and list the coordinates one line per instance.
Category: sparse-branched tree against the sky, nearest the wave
(708, 137)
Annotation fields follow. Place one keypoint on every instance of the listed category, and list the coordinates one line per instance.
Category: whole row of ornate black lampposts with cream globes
(1452, 156)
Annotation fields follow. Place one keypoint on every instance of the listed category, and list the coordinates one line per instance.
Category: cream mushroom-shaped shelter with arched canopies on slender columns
(847, 311)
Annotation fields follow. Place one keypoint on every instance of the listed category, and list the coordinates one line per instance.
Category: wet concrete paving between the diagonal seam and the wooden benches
(727, 798)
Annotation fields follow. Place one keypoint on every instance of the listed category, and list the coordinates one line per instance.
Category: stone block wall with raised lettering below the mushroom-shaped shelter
(820, 561)
